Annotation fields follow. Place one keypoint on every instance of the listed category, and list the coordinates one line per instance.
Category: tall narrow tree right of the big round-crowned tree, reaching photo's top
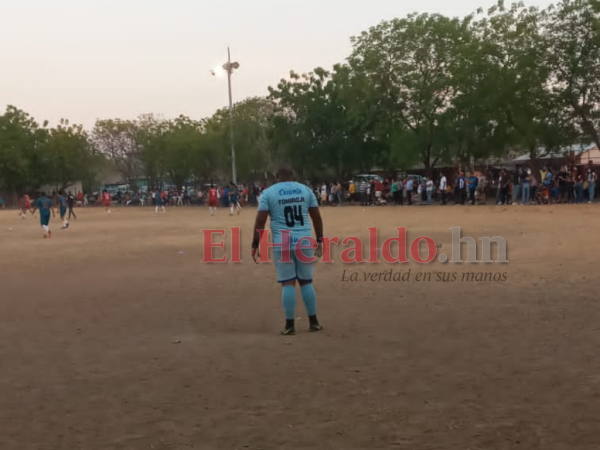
(514, 43)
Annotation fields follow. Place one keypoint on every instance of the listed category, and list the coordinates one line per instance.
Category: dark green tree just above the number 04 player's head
(320, 124)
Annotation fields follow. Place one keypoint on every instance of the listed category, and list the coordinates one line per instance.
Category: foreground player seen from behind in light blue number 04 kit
(291, 206)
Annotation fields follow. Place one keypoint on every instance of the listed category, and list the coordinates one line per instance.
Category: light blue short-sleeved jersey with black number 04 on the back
(288, 204)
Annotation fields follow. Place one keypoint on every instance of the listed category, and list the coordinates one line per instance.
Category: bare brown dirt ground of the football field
(114, 336)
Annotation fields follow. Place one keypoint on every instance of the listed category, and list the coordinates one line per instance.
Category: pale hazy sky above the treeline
(89, 59)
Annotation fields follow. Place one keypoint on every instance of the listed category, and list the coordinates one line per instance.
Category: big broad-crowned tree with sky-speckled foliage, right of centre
(410, 65)
